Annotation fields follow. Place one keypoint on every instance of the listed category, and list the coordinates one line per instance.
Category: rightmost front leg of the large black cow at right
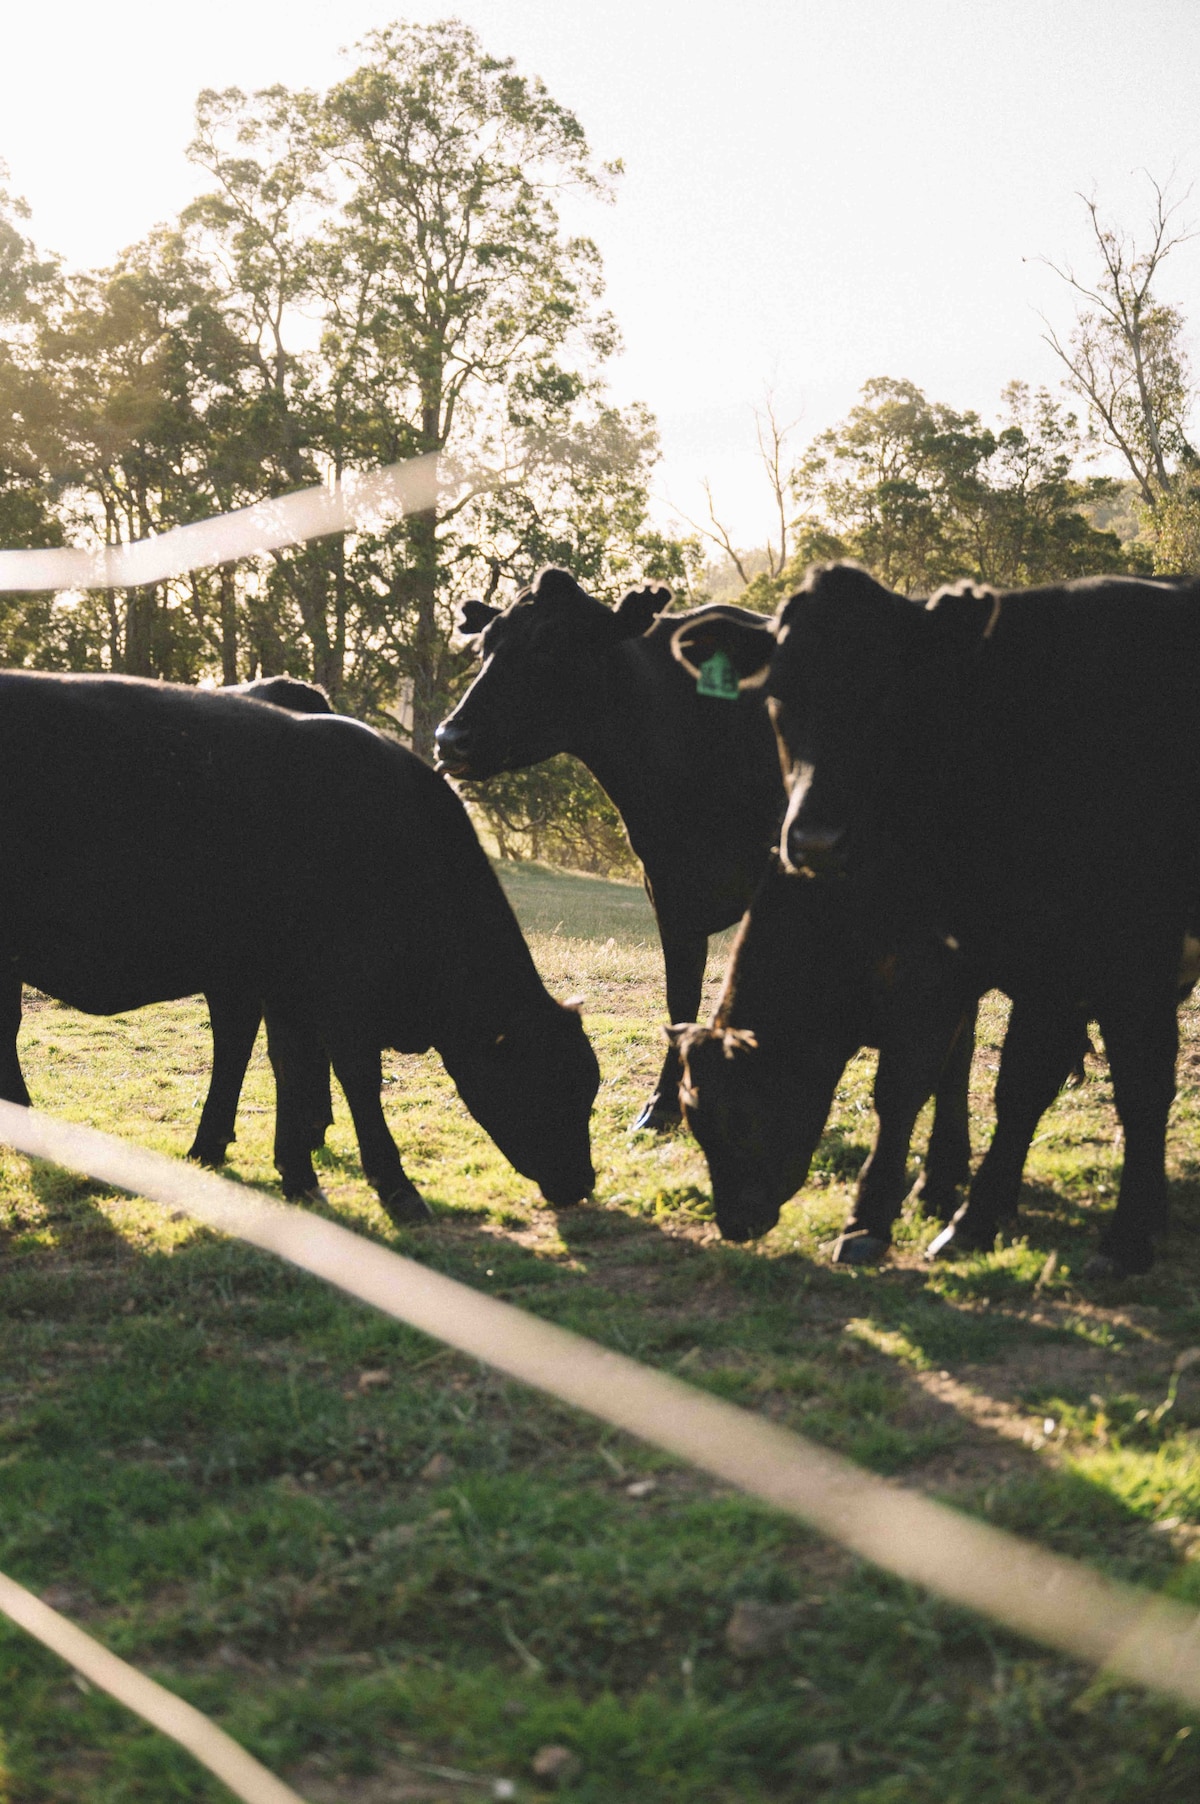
(1141, 1045)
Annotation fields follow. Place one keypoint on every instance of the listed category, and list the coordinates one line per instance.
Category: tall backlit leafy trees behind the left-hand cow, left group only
(374, 273)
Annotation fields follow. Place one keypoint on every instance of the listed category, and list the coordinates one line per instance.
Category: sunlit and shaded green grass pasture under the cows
(398, 1578)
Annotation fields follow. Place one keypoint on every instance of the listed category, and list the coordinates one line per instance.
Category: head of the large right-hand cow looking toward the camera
(860, 683)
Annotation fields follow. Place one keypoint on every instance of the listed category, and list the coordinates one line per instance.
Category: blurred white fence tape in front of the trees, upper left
(356, 501)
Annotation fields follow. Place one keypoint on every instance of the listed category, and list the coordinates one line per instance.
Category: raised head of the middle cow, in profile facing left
(544, 672)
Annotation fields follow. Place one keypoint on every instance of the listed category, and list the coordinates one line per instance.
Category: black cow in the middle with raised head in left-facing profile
(694, 773)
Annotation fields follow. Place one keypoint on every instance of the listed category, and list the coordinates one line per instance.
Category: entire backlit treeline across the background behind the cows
(382, 272)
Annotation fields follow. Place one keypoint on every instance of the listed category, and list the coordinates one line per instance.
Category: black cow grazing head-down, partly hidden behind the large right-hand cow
(804, 991)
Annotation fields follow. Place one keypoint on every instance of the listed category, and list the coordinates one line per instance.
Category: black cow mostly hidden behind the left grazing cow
(234, 1018)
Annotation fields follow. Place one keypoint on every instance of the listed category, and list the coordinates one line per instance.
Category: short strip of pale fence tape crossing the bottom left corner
(223, 1756)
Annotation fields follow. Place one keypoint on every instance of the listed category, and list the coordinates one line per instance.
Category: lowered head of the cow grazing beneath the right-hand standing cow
(759, 1121)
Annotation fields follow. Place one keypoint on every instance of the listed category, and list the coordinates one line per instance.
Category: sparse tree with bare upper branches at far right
(1127, 356)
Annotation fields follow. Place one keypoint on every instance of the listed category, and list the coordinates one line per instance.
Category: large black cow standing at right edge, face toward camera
(1017, 773)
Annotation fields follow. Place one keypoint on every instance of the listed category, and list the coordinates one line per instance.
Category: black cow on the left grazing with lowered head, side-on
(347, 892)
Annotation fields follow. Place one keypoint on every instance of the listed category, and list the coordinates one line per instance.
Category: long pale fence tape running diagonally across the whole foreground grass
(1055, 1601)
